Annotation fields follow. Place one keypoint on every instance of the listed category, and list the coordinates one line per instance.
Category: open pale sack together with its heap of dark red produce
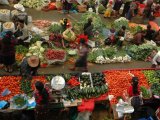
(53, 55)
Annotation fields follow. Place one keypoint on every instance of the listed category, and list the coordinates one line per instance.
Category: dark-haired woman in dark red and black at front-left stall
(42, 99)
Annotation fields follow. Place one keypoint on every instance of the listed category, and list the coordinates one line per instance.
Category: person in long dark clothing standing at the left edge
(7, 51)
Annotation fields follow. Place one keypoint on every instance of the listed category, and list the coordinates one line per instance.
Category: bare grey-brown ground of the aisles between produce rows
(56, 16)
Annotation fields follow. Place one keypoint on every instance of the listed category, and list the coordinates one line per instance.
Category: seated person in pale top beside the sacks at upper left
(21, 32)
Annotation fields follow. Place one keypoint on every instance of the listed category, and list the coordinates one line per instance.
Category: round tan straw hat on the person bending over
(33, 61)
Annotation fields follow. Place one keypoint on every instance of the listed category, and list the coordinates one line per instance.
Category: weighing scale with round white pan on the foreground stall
(57, 84)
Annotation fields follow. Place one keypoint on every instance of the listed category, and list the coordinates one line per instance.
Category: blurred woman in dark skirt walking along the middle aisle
(83, 54)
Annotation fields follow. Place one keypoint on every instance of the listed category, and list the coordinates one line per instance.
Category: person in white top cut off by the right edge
(156, 59)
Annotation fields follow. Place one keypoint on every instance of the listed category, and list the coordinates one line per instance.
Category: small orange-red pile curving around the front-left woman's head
(38, 78)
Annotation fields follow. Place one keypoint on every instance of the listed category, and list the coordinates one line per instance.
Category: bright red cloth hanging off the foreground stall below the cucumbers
(87, 105)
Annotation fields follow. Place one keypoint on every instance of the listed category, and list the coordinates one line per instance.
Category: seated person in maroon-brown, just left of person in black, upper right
(139, 38)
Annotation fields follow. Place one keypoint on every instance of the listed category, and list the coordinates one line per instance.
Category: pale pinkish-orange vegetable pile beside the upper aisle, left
(42, 23)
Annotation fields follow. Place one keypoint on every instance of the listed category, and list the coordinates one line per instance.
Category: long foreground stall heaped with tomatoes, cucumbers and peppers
(83, 90)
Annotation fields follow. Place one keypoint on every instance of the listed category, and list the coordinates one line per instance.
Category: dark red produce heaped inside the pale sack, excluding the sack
(55, 54)
